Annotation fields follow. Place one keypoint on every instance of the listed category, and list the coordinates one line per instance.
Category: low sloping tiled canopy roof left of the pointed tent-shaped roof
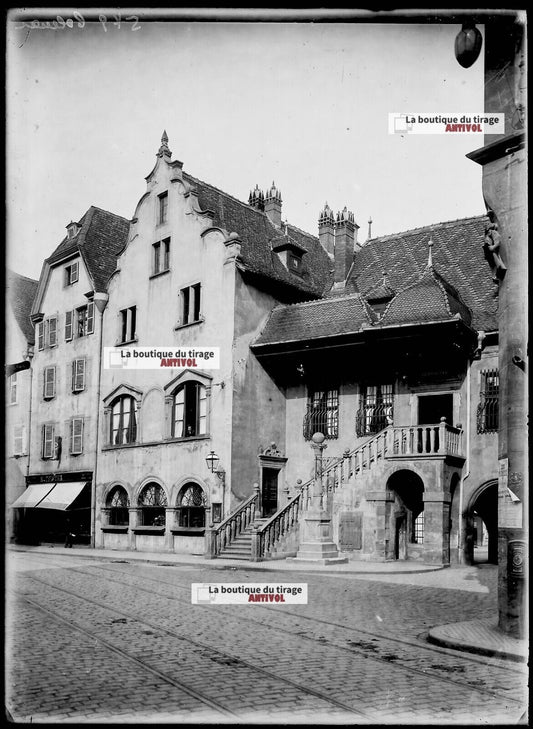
(313, 319)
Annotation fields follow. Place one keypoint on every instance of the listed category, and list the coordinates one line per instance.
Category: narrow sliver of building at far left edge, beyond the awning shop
(20, 292)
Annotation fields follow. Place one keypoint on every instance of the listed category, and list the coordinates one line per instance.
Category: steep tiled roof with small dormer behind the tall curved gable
(258, 235)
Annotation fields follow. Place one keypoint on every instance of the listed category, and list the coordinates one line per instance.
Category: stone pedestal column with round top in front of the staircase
(317, 544)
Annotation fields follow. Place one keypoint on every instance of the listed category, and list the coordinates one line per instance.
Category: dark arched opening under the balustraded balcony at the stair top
(406, 521)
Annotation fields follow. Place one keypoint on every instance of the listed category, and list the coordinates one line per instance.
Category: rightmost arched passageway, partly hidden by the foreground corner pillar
(481, 539)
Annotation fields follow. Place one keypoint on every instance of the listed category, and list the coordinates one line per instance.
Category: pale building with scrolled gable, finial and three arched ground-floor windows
(200, 269)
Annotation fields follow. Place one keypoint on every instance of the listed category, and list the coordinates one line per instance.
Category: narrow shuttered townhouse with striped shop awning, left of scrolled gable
(66, 314)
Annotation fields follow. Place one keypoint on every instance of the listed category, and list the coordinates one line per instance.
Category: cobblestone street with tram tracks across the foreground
(118, 641)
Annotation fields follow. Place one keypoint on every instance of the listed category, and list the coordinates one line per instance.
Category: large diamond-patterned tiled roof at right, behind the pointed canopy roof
(457, 256)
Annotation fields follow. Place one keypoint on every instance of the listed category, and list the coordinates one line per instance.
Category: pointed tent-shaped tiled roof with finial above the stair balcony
(431, 298)
